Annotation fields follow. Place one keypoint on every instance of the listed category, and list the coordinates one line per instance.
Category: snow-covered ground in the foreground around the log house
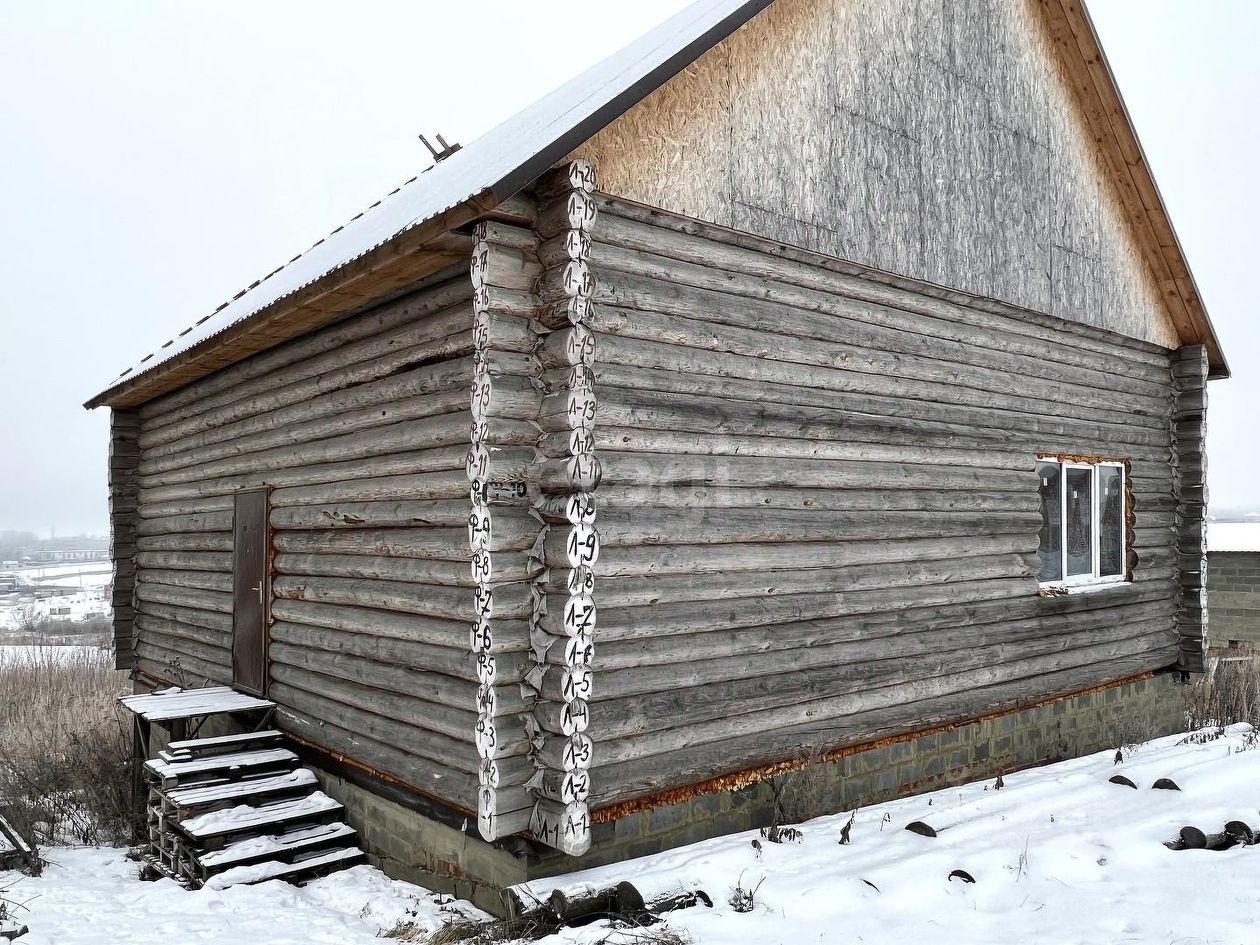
(1059, 855)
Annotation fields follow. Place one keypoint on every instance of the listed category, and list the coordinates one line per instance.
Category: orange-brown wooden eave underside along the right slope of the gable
(1109, 122)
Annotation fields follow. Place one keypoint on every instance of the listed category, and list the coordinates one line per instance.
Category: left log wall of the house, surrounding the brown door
(362, 433)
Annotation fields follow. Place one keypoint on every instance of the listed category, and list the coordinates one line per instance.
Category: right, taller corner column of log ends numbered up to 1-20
(569, 546)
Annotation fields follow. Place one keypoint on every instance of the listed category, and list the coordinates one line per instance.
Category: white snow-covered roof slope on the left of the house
(503, 161)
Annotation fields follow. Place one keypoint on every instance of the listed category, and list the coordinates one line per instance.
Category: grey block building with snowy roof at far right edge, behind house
(1234, 585)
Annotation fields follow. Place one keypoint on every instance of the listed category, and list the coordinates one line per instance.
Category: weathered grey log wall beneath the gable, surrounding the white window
(820, 512)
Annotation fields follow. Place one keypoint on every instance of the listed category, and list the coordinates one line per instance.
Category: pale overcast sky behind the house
(157, 157)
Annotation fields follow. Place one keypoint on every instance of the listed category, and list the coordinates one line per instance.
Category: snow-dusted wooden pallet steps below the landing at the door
(241, 810)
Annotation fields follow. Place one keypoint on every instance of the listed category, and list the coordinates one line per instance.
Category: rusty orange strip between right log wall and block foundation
(739, 781)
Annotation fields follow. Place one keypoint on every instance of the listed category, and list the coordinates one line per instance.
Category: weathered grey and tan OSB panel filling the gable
(934, 139)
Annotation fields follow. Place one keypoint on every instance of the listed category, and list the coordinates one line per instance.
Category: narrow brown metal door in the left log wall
(251, 593)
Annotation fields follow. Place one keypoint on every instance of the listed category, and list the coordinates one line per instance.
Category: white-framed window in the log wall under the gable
(1083, 521)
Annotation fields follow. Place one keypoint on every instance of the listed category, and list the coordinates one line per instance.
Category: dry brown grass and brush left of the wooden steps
(66, 747)
